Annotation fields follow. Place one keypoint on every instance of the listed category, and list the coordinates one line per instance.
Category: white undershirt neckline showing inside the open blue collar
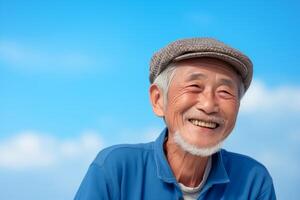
(192, 193)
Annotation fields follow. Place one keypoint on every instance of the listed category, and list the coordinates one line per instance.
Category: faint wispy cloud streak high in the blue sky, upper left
(32, 58)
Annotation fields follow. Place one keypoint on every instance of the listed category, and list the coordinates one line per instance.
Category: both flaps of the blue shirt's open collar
(217, 175)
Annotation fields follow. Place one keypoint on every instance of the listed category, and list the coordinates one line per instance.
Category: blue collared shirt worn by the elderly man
(141, 171)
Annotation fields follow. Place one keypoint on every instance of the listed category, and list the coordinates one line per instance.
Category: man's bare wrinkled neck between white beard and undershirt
(187, 168)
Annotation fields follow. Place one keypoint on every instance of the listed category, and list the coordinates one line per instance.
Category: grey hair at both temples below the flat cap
(163, 81)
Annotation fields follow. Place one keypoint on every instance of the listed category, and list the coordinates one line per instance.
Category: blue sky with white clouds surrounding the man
(74, 79)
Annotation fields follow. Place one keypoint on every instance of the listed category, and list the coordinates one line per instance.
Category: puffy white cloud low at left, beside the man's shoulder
(30, 149)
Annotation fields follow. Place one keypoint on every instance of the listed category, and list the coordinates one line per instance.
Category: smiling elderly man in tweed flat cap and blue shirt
(196, 87)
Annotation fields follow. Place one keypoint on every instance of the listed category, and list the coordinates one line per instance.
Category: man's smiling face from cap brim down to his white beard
(203, 101)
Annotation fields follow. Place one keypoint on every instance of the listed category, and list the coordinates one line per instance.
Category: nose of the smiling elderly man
(207, 103)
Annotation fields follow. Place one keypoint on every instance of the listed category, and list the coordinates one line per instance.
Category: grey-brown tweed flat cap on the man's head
(201, 47)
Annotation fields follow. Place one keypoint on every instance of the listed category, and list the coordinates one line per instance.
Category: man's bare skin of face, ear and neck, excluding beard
(202, 89)
